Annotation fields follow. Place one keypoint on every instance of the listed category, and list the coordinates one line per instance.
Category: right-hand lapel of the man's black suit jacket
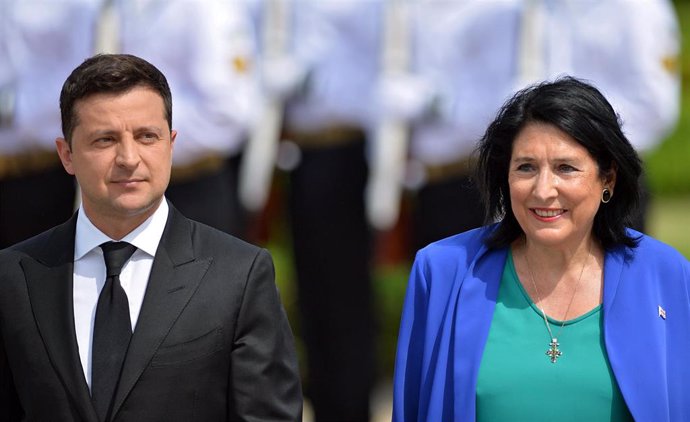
(175, 277)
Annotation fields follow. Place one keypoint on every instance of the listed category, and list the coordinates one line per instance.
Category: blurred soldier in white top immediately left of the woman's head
(459, 75)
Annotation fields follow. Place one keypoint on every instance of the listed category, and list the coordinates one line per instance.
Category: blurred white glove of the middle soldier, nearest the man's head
(283, 77)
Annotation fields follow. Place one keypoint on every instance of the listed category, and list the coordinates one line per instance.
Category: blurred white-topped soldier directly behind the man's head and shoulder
(205, 48)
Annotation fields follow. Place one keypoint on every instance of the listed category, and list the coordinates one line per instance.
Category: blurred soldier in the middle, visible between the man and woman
(326, 77)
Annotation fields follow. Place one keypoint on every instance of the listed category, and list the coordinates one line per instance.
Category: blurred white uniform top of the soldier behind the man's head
(205, 49)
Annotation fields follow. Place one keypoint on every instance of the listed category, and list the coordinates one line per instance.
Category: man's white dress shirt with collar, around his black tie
(89, 274)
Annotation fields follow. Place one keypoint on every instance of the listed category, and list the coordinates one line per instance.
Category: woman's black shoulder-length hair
(581, 111)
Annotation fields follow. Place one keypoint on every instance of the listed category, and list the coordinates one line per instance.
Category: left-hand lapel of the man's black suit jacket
(49, 284)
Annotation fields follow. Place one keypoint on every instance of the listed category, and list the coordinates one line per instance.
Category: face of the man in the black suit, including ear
(121, 155)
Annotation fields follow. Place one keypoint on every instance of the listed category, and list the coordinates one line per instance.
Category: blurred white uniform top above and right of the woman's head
(627, 49)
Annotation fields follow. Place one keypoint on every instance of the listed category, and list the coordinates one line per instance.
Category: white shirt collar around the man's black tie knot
(145, 237)
